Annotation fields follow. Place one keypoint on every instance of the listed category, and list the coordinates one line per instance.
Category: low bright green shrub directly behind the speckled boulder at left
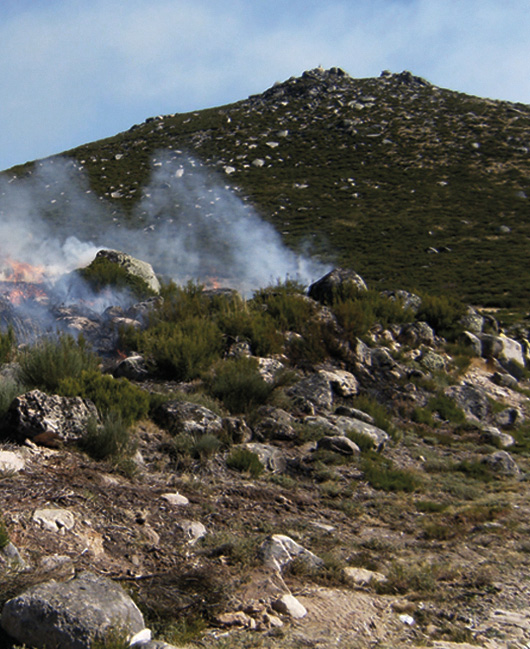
(109, 394)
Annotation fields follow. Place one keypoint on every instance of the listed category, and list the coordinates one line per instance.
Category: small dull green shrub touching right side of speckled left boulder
(109, 440)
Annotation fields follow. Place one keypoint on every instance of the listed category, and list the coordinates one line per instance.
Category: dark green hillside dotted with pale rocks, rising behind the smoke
(409, 184)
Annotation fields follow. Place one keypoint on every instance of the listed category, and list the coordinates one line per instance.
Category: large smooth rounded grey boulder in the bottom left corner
(70, 615)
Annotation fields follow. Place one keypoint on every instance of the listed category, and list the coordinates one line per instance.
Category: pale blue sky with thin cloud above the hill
(73, 71)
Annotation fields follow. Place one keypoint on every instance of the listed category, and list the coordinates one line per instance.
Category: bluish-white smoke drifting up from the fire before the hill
(194, 226)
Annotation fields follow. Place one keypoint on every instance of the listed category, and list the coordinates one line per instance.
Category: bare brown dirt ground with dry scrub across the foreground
(454, 549)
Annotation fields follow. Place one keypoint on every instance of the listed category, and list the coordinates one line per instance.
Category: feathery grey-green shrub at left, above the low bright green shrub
(51, 360)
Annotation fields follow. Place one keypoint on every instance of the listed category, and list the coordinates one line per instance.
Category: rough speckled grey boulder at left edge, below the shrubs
(48, 419)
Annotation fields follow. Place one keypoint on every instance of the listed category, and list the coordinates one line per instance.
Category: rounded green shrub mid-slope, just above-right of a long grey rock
(239, 385)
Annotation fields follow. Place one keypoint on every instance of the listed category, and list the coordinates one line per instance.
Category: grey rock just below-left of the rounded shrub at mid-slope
(186, 417)
